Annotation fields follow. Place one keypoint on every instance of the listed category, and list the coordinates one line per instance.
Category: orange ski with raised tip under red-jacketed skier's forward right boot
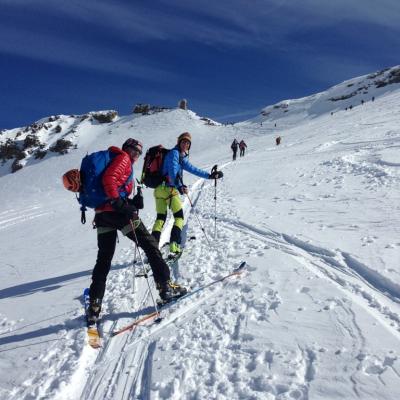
(156, 316)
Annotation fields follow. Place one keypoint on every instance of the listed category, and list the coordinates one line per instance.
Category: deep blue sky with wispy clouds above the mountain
(228, 58)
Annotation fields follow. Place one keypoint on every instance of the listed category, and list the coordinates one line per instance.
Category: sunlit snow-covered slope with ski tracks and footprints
(316, 316)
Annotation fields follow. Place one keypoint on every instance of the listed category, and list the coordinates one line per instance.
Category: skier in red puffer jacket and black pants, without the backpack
(121, 213)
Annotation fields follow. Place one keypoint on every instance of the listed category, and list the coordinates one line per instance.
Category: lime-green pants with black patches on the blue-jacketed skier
(168, 197)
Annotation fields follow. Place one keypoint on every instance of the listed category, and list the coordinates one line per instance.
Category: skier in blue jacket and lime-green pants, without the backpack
(167, 194)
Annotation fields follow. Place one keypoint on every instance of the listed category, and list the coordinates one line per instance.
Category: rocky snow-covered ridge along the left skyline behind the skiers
(60, 134)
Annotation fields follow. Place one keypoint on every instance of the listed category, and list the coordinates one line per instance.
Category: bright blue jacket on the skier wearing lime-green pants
(173, 166)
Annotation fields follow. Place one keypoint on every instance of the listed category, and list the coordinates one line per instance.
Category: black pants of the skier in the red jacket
(106, 243)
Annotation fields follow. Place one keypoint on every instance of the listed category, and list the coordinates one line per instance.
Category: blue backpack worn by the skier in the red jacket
(92, 193)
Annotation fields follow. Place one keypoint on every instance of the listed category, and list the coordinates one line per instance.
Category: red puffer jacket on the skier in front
(115, 176)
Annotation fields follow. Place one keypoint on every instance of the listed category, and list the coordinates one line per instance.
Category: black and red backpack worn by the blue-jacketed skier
(152, 166)
